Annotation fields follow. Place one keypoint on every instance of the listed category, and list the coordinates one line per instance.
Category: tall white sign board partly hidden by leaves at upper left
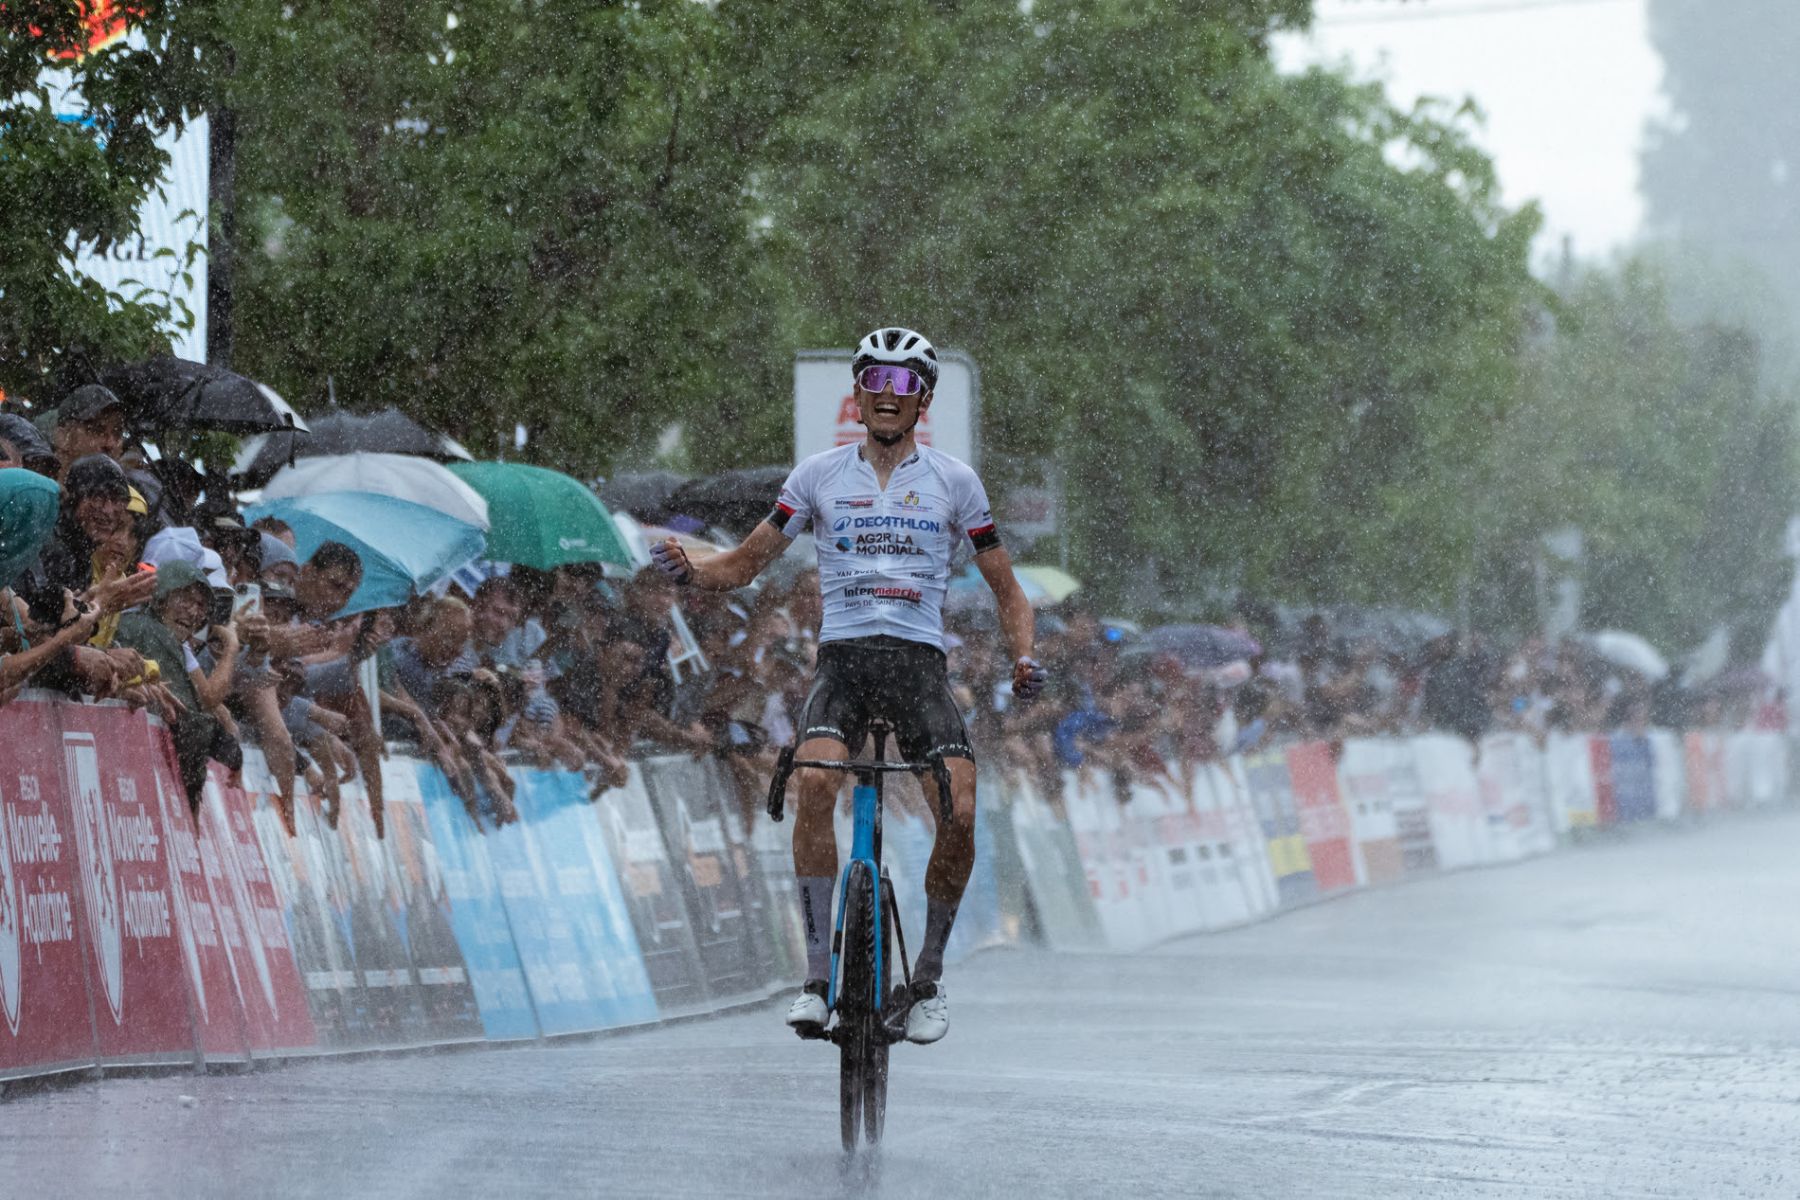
(172, 217)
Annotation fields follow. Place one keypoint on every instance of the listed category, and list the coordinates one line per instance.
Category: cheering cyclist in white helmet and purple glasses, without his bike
(886, 515)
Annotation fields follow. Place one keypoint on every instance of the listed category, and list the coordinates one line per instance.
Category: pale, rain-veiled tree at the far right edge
(1666, 445)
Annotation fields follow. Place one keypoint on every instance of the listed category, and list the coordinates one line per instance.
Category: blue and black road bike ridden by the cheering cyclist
(870, 1010)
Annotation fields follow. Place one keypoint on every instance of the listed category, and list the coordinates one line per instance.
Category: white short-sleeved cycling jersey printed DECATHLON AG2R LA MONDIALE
(885, 555)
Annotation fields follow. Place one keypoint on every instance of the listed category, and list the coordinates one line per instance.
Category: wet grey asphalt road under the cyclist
(1614, 1021)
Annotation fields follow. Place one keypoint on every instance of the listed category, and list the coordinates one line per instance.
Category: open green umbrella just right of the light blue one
(543, 519)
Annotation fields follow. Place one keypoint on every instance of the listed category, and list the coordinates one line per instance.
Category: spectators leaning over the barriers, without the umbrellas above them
(136, 578)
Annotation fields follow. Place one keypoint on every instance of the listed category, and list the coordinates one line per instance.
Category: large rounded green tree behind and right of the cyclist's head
(1248, 312)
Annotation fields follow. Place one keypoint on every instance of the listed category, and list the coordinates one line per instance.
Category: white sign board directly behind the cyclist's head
(825, 409)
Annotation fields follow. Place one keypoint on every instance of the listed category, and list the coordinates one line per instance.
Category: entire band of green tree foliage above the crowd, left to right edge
(1275, 334)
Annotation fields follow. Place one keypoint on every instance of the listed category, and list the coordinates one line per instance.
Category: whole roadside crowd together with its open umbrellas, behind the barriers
(343, 591)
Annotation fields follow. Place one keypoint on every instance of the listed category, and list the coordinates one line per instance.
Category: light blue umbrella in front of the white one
(404, 548)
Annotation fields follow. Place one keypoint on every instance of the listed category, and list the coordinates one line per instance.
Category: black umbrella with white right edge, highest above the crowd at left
(179, 395)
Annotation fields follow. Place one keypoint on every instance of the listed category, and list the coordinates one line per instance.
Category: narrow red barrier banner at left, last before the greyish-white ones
(264, 967)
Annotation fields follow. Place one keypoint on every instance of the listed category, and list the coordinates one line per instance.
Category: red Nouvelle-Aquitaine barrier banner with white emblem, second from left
(136, 971)
